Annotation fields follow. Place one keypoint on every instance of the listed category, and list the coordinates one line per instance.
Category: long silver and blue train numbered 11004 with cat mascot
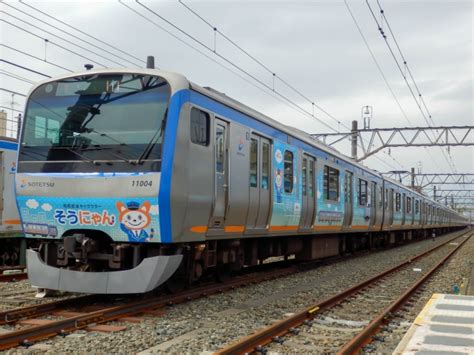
(149, 178)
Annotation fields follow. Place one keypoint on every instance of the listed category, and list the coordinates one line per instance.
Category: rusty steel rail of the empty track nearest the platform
(365, 336)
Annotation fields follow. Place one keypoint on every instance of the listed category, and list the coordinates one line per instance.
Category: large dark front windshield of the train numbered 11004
(97, 122)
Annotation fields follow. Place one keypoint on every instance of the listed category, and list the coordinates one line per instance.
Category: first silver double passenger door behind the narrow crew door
(260, 183)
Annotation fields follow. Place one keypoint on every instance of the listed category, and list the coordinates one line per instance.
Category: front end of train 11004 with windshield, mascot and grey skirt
(88, 182)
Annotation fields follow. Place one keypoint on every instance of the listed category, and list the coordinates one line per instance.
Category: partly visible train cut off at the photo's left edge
(11, 243)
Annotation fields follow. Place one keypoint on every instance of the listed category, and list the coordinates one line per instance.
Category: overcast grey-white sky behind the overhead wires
(312, 45)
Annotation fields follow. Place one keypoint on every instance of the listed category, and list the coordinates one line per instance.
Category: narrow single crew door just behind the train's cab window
(221, 174)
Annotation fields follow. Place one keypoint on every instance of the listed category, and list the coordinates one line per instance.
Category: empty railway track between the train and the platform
(334, 325)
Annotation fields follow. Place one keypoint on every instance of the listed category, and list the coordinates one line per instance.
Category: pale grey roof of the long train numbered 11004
(180, 82)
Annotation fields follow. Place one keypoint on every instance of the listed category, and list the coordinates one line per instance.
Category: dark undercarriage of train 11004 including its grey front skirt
(93, 263)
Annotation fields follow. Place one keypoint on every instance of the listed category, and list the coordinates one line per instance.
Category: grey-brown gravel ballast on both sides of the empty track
(209, 323)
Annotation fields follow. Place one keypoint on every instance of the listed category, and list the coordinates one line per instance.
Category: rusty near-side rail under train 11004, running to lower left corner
(28, 335)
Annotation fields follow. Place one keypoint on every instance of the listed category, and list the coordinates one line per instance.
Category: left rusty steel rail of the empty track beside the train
(266, 335)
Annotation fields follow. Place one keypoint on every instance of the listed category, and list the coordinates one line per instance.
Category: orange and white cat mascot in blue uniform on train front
(134, 218)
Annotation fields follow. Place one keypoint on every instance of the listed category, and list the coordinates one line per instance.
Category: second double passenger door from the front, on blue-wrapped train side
(308, 184)
